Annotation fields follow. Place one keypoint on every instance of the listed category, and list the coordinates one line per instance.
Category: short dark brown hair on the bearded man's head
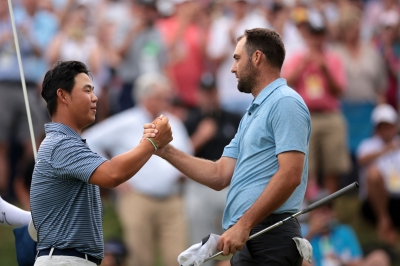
(268, 42)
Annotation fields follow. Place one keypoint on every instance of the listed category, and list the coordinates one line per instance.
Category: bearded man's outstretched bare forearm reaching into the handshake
(203, 171)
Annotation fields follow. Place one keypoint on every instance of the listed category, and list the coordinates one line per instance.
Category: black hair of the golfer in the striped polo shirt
(61, 76)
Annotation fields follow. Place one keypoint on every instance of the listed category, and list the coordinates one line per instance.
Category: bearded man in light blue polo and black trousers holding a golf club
(265, 164)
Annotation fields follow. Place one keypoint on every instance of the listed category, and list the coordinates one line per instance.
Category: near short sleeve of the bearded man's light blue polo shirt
(291, 125)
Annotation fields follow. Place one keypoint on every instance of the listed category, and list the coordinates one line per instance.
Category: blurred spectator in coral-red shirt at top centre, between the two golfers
(185, 42)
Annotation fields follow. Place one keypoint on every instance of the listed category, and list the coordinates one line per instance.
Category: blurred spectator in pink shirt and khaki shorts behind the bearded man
(318, 76)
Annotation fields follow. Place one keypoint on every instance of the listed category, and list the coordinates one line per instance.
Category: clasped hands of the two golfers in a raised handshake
(158, 132)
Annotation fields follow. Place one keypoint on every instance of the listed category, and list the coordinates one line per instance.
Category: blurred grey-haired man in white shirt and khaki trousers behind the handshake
(149, 205)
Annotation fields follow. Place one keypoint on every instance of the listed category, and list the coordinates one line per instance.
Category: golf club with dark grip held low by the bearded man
(313, 206)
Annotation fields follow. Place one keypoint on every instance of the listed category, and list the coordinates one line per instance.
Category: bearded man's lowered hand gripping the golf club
(233, 239)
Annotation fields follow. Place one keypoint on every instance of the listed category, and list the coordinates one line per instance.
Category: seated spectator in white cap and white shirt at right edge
(379, 157)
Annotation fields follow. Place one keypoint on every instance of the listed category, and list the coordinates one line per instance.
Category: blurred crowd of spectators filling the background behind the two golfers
(174, 57)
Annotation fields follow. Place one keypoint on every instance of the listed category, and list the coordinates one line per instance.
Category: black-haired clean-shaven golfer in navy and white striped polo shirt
(65, 197)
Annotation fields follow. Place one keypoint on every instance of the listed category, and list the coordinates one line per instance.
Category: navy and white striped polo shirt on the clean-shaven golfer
(66, 209)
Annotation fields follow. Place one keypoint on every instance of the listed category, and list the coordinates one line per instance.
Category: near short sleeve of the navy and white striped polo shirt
(72, 159)
